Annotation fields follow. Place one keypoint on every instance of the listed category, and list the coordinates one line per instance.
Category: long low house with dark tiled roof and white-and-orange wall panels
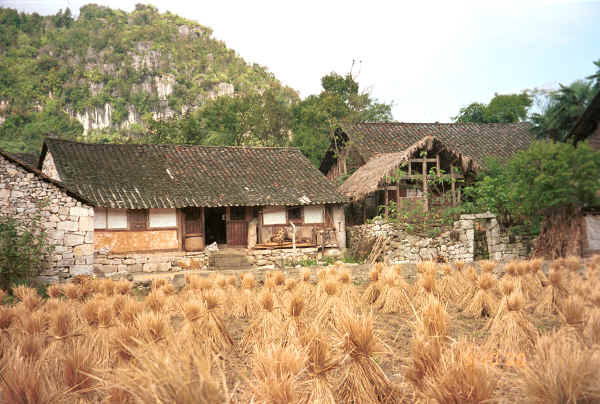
(175, 199)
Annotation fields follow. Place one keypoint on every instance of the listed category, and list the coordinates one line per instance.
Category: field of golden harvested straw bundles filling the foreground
(458, 333)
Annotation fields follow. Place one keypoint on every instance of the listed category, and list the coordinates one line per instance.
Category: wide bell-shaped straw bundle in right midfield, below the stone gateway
(512, 332)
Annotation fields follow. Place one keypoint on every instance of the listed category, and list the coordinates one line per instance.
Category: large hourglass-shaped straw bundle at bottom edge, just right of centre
(362, 380)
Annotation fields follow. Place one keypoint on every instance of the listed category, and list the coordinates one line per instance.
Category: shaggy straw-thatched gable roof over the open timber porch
(368, 177)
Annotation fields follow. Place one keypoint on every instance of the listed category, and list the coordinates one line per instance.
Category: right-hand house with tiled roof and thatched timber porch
(381, 163)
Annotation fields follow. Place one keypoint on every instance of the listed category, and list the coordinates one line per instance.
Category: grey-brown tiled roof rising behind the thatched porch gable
(473, 140)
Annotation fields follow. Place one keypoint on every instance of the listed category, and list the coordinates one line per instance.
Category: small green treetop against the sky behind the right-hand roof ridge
(503, 108)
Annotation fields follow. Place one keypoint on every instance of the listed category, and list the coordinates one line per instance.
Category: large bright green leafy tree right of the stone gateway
(547, 176)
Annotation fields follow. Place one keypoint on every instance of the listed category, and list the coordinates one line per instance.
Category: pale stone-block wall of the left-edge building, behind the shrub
(24, 194)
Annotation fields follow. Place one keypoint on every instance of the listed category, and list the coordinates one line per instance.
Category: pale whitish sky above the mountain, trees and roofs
(428, 58)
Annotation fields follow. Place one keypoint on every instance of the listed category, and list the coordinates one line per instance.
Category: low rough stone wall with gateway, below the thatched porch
(459, 244)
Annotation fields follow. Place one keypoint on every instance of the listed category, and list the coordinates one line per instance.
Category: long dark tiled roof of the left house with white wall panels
(166, 176)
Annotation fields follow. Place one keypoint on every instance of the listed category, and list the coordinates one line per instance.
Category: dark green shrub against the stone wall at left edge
(23, 250)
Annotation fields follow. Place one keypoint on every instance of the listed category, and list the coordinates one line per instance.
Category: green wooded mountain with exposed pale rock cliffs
(112, 72)
